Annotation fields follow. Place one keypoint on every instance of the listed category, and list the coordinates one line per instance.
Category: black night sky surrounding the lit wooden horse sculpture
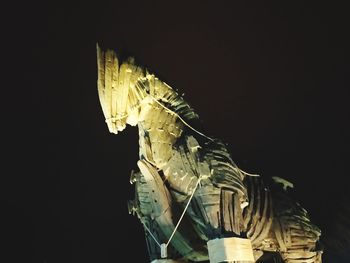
(270, 80)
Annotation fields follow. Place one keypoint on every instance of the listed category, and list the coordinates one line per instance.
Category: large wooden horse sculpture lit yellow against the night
(194, 202)
